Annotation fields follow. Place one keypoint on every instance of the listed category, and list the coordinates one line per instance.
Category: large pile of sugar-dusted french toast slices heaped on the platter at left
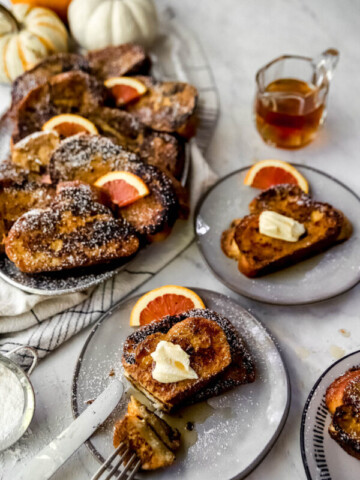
(52, 215)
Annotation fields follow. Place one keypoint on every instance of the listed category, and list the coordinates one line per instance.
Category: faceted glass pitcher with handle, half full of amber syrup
(290, 102)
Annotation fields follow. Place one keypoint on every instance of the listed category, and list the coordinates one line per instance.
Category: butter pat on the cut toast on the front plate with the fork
(172, 363)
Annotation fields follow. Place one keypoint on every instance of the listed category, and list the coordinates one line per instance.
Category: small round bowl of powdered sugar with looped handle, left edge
(17, 399)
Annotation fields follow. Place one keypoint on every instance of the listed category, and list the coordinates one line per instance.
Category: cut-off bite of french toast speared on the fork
(147, 435)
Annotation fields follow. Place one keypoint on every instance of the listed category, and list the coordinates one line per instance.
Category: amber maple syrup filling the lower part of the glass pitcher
(288, 113)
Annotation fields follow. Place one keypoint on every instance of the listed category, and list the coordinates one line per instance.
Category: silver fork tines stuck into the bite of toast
(118, 472)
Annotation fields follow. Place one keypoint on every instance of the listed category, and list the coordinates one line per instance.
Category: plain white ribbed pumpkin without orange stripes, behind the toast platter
(100, 23)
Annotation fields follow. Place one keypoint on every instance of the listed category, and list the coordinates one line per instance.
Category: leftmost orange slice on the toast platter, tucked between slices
(68, 124)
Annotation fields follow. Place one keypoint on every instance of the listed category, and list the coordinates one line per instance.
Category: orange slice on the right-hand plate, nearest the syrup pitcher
(266, 173)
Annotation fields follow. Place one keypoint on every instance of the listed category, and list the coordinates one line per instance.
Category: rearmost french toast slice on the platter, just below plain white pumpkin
(116, 61)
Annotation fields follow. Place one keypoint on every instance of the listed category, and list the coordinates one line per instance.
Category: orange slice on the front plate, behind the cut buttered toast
(167, 300)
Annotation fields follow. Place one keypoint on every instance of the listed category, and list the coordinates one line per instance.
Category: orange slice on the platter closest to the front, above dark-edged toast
(123, 188)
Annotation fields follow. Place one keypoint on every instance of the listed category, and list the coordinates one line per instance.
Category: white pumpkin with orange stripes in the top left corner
(27, 35)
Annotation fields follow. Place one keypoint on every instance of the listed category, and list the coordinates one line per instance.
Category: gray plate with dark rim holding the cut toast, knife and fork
(234, 431)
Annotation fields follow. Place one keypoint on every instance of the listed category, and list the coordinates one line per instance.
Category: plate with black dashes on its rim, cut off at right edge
(323, 458)
